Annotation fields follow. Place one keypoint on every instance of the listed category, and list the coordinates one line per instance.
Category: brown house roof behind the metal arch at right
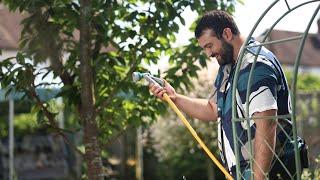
(286, 52)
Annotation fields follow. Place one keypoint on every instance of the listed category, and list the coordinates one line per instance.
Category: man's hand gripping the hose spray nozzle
(158, 91)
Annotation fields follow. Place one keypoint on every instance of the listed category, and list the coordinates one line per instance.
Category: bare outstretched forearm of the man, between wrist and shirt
(196, 108)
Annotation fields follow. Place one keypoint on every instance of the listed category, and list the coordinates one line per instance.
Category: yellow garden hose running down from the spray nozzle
(195, 135)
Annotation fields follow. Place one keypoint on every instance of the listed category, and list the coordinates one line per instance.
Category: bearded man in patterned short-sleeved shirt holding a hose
(220, 38)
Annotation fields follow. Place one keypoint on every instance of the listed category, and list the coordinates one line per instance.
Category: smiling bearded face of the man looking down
(217, 48)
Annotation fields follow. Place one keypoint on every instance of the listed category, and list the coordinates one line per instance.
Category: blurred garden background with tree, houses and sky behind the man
(43, 129)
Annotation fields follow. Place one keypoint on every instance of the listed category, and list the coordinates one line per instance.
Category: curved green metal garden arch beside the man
(292, 93)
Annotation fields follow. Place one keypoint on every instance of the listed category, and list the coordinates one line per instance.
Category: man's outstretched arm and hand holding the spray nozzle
(202, 109)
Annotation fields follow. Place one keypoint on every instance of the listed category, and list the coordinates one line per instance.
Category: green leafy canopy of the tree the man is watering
(119, 37)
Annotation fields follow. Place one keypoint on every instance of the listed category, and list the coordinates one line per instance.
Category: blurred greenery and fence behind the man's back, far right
(307, 106)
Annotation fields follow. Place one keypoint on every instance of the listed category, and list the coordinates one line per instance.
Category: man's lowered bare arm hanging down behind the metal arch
(264, 143)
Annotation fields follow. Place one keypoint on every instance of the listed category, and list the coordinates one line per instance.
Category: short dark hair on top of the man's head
(217, 21)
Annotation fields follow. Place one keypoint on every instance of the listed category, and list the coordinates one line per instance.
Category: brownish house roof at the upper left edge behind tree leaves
(10, 28)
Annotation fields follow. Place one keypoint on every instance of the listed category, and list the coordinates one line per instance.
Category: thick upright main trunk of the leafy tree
(87, 111)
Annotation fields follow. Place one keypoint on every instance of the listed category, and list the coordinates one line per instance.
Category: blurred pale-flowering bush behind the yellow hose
(178, 153)
